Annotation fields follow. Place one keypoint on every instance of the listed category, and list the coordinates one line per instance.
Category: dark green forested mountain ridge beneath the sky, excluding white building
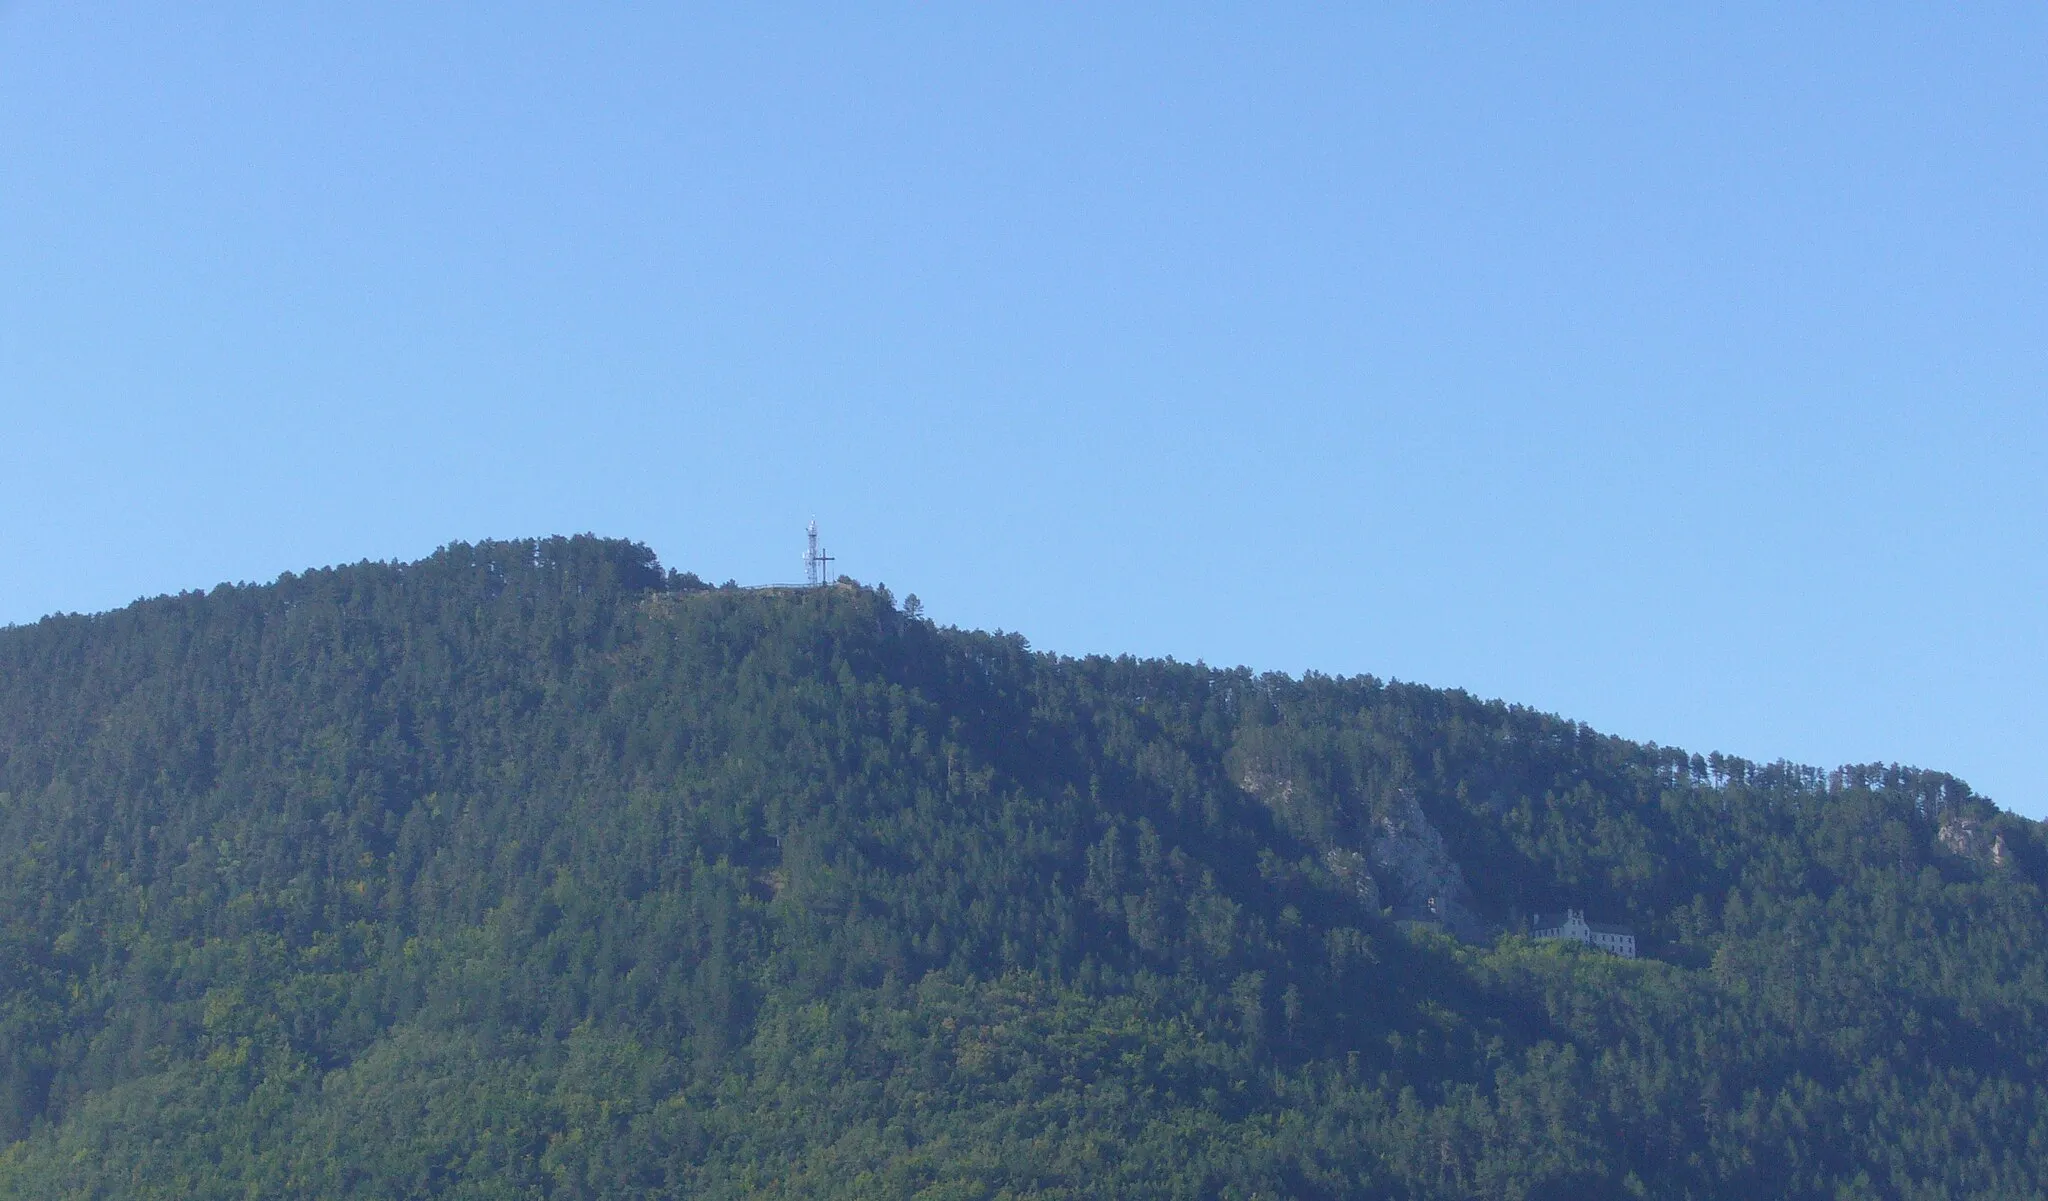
(534, 870)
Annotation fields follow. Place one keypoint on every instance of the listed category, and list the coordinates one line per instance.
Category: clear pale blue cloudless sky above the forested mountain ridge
(1678, 372)
